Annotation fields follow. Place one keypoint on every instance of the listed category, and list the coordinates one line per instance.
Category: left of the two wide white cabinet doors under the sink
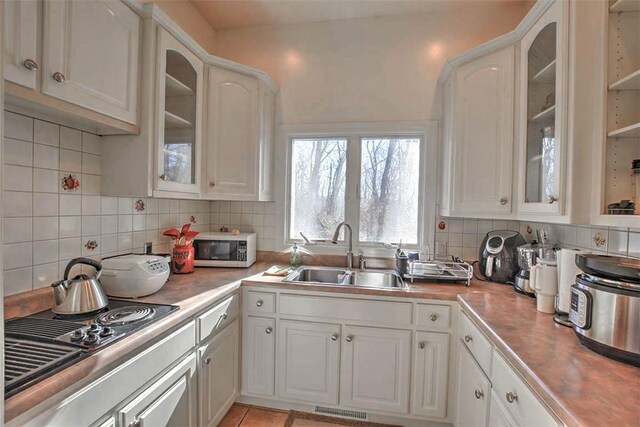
(308, 361)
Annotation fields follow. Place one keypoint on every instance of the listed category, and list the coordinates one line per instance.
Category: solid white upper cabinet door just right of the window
(482, 135)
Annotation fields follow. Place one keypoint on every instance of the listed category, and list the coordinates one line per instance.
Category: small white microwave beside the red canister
(225, 249)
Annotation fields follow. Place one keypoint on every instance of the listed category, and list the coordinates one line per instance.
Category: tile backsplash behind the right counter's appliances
(462, 237)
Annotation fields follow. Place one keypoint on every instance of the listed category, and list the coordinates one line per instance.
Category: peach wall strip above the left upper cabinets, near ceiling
(190, 20)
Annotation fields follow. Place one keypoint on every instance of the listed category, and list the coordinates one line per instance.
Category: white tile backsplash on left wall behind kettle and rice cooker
(45, 225)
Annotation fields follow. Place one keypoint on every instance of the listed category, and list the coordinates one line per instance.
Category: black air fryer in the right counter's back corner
(497, 256)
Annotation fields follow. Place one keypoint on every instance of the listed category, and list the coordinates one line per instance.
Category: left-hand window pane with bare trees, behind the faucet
(317, 186)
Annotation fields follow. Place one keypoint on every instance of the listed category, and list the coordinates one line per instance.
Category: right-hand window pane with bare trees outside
(389, 182)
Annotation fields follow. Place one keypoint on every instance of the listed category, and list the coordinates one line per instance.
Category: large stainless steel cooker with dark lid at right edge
(605, 306)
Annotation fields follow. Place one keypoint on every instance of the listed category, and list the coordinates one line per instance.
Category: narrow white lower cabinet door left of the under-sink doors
(259, 356)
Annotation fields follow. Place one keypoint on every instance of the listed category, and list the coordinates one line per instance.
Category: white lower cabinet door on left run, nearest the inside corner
(218, 375)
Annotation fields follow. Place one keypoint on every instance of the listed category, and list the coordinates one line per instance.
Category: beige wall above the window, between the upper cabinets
(363, 70)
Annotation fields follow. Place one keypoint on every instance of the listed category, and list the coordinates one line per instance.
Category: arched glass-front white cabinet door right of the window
(542, 119)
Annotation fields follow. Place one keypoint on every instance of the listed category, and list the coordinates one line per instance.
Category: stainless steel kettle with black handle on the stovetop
(82, 294)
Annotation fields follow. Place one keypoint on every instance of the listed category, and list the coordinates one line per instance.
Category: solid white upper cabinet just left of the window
(240, 137)
